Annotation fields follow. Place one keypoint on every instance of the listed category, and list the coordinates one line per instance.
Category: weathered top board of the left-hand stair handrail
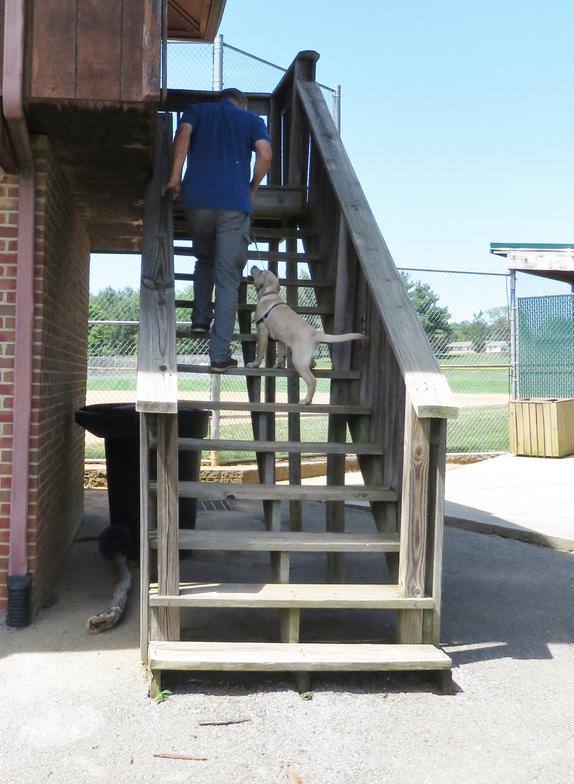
(157, 365)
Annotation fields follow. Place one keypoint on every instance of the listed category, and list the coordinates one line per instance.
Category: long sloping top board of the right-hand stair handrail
(426, 386)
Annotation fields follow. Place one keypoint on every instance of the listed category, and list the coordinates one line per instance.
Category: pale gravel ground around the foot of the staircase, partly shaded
(75, 707)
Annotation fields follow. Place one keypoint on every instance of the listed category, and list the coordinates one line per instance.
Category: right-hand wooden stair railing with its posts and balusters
(400, 378)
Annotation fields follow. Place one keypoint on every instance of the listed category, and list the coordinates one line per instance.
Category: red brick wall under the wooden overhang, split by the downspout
(59, 375)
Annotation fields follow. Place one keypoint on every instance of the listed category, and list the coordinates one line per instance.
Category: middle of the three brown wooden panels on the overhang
(99, 50)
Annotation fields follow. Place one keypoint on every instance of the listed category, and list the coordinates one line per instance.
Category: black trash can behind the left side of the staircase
(118, 425)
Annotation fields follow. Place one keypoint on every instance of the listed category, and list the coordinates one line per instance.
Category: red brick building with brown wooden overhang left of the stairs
(81, 85)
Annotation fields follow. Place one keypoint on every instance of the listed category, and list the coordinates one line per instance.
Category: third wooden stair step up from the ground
(284, 541)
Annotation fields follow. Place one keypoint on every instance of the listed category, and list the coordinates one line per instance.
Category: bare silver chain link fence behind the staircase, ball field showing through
(465, 315)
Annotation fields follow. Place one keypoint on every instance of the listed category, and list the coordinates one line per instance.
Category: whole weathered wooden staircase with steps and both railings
(388, 406)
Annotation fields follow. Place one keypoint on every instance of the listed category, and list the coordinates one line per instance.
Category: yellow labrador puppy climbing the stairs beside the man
(275, 319)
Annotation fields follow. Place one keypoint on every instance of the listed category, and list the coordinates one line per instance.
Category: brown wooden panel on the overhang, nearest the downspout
(53, 65)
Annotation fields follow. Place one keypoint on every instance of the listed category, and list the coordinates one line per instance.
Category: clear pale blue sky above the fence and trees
(458, 118)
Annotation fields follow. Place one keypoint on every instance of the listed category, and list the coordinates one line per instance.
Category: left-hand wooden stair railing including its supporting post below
(157, 394)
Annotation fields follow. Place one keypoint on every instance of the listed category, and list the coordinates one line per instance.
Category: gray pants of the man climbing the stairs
(220, 241)
